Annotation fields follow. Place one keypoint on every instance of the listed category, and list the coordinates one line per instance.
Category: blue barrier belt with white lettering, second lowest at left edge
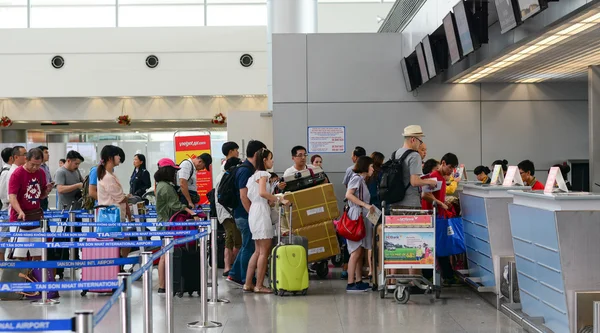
(61, 285)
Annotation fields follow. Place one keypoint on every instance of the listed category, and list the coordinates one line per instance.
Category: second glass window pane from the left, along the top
(73, 17)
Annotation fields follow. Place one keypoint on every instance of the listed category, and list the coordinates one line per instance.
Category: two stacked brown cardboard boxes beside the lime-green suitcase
(313, 212)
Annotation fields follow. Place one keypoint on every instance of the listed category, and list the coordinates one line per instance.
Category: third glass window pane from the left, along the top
(161, 16)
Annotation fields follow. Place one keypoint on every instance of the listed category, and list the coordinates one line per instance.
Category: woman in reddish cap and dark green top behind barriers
(167, 204)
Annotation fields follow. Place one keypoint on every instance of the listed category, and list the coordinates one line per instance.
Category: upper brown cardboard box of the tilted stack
(313, 205)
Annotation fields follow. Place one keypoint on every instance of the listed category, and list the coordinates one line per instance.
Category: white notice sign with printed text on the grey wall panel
(326, 139)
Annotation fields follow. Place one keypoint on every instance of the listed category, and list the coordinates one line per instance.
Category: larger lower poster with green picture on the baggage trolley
(409, 248)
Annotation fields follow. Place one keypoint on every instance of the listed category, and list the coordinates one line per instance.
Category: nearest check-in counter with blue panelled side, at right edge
(557, 250)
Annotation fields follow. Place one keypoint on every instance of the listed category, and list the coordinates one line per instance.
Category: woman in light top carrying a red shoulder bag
(359, 200)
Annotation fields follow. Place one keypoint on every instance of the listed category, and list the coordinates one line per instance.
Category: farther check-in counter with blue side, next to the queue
(487, 233)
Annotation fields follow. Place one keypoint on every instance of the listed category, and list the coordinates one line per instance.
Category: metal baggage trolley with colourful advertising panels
(408, 242)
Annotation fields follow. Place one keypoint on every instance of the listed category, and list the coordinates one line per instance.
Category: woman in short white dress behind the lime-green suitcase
(259, 219)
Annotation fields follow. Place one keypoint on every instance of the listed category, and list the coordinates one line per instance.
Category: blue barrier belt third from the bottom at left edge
(70, 263)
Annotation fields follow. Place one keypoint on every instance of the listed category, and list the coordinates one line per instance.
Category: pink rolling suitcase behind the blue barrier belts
(99, 273)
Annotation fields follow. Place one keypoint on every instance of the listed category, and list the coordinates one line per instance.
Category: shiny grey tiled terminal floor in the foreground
(326, 309)
